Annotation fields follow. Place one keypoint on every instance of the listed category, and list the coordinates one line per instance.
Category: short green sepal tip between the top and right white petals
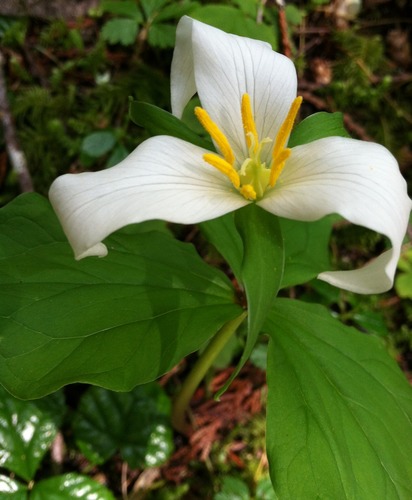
(317, 126)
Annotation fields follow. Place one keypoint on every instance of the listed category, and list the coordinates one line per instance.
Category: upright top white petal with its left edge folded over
(222, 67)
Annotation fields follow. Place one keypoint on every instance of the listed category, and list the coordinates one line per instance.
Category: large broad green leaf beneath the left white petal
(117, 322)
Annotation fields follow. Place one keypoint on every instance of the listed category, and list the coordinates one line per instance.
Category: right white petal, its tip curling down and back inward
(358, 180)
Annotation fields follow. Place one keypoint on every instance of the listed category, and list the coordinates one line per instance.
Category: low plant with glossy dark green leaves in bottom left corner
(135, 423)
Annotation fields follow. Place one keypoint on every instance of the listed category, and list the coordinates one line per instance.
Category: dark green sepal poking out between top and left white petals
(157, 121)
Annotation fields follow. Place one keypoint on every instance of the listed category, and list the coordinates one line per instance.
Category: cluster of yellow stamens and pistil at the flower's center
(253, 178)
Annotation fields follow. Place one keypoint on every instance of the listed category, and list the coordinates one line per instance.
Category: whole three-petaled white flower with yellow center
(249, 103)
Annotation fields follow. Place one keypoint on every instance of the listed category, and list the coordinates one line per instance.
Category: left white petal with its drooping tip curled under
(164, 178)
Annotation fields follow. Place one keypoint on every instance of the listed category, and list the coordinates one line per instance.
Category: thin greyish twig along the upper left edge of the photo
(17, 157)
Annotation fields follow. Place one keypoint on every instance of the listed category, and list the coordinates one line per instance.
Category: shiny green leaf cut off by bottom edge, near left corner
(70, 486)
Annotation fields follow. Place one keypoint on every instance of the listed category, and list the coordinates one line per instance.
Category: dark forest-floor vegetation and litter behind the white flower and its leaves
(68, 83)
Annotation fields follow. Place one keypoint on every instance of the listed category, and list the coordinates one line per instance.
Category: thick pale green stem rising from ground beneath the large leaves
(202, 365)
